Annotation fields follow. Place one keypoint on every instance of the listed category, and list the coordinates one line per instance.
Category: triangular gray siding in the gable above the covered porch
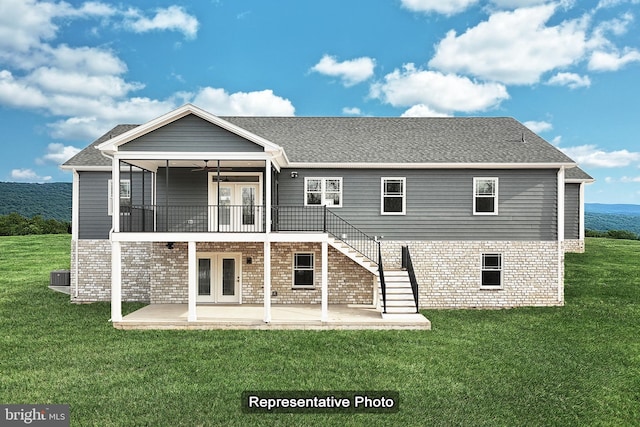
(191, 134)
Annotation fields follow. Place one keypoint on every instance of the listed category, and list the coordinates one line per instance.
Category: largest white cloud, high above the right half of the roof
(513, 47)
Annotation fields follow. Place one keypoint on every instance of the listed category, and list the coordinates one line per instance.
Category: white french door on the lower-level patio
(219, 277)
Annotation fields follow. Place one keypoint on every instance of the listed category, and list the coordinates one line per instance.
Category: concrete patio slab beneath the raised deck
(249, 316)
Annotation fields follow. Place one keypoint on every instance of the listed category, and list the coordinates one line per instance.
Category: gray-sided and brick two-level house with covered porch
(191, 208)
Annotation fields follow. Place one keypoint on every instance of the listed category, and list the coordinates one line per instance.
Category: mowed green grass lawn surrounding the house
(564, 366)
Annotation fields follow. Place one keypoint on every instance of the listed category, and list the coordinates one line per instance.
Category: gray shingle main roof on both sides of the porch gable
(385, 140)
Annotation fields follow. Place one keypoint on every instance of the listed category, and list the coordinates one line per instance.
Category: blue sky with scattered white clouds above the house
(69, 71)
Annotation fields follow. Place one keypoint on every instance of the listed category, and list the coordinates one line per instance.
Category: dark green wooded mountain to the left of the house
(50, 201)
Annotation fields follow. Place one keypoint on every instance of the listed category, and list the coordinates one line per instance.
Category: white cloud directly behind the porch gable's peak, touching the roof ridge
(259, 103)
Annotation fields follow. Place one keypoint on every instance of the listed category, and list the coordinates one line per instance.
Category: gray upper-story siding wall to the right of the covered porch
(440, 203)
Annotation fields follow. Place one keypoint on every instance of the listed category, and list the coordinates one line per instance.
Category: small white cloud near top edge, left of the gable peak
(173, 18)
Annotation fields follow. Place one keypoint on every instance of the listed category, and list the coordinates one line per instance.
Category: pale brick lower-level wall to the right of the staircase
(449, 273)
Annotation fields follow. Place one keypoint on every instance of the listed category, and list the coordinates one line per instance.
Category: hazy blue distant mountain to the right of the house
(603, 217)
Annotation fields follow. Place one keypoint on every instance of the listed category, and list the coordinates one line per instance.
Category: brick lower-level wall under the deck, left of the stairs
(155, 274)
